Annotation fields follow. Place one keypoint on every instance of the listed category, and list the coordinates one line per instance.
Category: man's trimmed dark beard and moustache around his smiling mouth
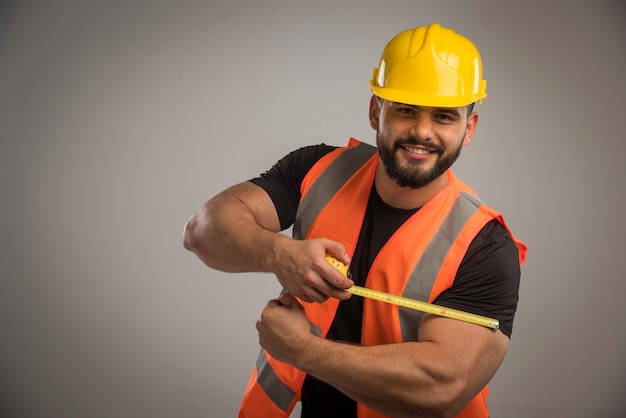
(414, 175)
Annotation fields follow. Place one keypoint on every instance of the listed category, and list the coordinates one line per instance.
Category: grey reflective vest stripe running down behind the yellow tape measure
(425, 273)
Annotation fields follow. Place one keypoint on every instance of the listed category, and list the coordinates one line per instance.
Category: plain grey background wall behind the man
(119, 119)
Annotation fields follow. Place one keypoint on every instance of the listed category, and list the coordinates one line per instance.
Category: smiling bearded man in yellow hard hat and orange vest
(405, 224)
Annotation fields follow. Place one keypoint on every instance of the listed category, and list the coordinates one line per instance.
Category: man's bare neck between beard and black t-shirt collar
(406, 197)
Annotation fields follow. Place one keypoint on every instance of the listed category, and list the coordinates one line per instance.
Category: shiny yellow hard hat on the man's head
(430, 66)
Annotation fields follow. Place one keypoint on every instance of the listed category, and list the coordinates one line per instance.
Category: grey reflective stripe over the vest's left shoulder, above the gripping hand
(327, 185)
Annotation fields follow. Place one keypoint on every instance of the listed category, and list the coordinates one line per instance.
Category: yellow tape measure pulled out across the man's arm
(412, 303)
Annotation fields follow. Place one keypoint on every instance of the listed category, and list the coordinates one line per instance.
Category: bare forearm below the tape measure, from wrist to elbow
(395, 379)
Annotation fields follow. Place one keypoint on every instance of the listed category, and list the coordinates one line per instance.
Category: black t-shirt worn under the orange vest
(486, 283)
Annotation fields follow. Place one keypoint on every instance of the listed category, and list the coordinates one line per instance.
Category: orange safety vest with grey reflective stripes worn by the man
(419, 261)
